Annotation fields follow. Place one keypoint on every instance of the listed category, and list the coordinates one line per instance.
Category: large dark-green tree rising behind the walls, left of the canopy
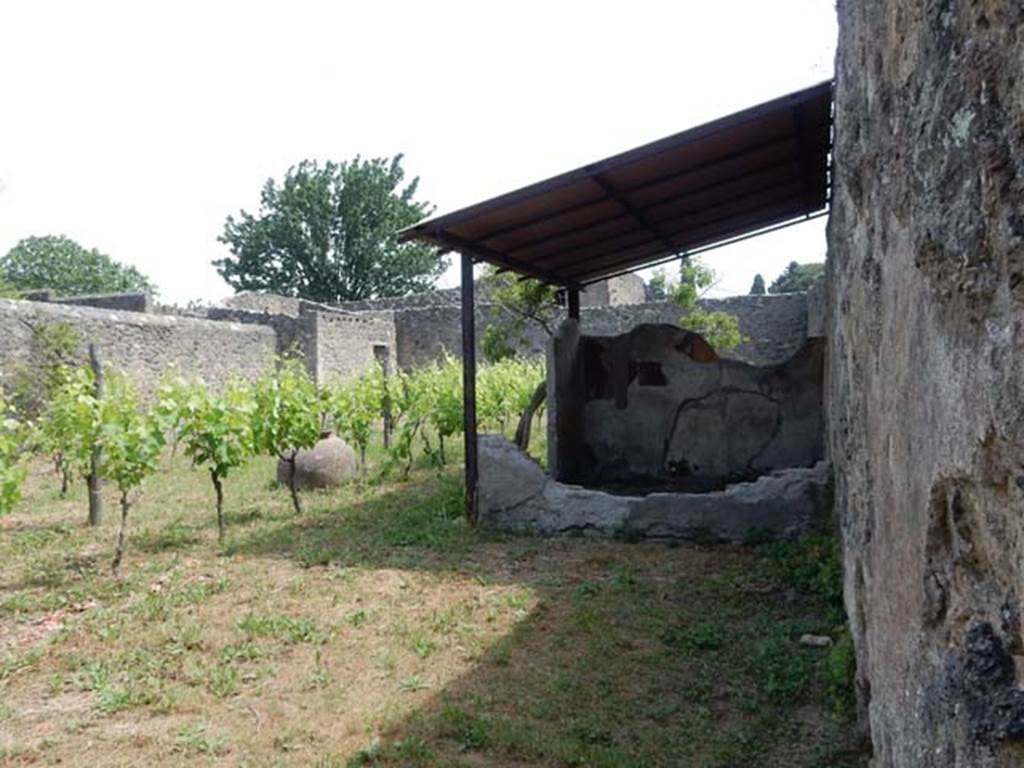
(329, 234)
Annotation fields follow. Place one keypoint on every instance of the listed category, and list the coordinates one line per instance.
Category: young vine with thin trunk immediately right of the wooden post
(133, 440)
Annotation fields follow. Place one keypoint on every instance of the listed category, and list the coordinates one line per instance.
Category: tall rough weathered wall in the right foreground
(926, 372)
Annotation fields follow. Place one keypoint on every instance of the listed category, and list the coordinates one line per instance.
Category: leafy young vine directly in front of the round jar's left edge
(287, 417)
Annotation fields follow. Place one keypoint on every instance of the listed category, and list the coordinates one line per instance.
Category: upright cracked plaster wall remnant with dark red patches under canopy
(658, 406)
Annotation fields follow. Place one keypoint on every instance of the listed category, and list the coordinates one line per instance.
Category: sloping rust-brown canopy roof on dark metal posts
(756, 169)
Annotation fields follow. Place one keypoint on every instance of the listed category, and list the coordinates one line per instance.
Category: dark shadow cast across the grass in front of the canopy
(624, 655)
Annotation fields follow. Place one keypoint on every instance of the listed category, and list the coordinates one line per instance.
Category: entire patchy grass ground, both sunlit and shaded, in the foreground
(377, 629)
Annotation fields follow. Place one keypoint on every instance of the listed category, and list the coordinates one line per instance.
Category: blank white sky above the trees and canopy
(137, 127)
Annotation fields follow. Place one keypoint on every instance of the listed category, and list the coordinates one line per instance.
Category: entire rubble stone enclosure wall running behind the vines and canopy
(242, 336)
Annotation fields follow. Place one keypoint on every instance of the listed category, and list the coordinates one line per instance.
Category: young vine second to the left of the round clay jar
(217, 433)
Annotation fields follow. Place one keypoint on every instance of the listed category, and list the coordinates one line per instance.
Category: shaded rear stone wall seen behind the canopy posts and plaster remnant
(776, 326)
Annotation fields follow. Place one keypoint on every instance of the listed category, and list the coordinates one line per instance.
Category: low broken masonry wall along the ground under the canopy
(517, 495)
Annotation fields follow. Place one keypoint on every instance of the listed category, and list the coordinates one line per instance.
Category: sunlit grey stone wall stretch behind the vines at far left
(145, 346)
